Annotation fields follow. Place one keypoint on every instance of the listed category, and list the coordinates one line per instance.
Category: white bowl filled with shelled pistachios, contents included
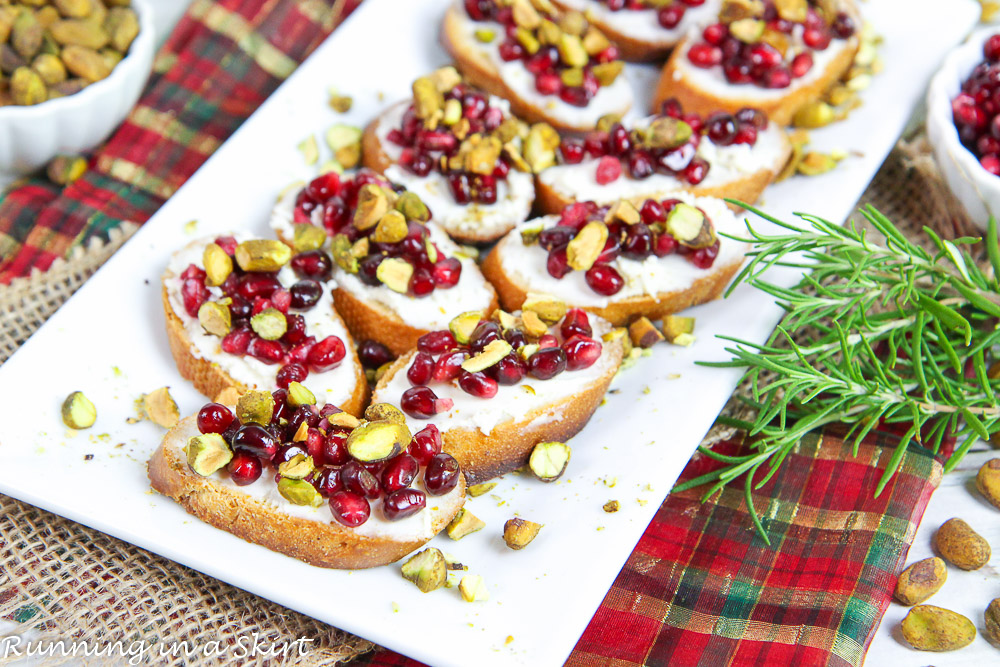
(70, 71)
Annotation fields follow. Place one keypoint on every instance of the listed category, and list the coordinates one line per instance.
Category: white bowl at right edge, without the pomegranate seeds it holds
(976, 188)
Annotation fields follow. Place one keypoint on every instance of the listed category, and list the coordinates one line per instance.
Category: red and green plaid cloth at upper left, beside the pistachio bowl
(221, 62)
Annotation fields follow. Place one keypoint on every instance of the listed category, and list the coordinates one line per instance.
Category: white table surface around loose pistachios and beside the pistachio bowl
(965, 592)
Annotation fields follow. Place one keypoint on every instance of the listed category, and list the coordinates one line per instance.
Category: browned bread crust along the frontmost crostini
(322, 544)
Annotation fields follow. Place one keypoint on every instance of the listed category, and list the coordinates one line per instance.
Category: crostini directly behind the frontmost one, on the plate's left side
(244, 313)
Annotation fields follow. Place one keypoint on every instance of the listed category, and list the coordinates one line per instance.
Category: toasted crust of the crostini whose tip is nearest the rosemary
(620, 313)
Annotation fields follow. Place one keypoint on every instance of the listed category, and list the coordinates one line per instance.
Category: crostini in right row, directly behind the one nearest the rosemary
(724, 155)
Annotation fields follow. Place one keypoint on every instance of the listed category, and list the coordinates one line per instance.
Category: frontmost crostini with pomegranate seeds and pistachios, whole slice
(323, 487)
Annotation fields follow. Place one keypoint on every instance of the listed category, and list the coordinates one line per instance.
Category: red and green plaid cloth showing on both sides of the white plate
(701, 587)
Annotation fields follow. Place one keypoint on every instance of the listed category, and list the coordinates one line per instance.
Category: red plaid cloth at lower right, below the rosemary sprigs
(703, 589)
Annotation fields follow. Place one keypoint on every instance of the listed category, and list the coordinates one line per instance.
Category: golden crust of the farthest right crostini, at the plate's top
(778, 109)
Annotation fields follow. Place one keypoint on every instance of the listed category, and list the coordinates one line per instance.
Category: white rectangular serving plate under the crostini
(109, 342)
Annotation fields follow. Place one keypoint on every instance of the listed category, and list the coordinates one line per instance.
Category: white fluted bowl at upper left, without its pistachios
(30, 136)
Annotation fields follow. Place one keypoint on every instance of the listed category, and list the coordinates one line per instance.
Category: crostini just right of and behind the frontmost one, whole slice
(490, 389)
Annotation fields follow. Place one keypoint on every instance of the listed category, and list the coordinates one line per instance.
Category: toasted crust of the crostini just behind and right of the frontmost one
(509, 444)
